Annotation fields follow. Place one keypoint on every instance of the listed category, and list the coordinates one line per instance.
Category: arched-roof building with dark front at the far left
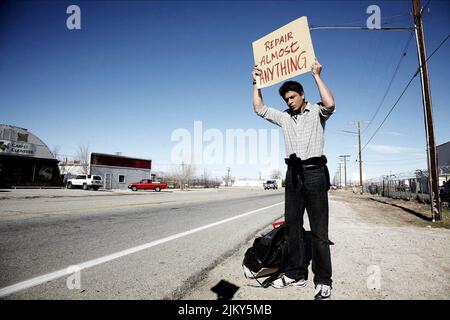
(25, 160)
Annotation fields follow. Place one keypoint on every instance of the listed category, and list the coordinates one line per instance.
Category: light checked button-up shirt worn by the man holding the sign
(303, 132)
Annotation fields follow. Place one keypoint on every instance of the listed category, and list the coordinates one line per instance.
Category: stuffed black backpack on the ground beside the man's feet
(267, 257)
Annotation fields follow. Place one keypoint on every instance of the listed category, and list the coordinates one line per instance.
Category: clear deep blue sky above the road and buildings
(138, 70)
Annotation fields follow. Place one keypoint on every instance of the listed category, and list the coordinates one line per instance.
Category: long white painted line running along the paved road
(88, 264)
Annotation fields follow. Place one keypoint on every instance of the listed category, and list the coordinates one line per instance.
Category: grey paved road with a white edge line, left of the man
(181, 235)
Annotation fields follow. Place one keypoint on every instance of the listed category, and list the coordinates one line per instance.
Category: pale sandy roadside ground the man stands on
(381, 251)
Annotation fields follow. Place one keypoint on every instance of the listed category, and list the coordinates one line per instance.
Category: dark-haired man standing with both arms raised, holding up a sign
(307, 177)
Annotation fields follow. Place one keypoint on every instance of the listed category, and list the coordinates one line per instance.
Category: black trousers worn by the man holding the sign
(307, 189)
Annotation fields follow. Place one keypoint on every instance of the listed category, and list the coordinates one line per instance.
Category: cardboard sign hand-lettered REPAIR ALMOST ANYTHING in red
(284, 53)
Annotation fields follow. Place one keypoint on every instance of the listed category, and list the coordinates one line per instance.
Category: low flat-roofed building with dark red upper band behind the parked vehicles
(118, 171)
